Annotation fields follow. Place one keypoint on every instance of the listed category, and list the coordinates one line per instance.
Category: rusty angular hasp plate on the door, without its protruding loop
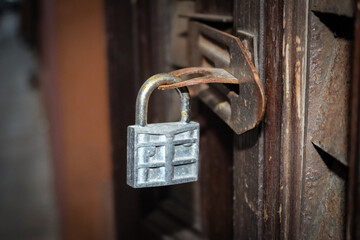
(209, 47)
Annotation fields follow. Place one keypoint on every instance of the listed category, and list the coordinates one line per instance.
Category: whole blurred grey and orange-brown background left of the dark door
(53, 87)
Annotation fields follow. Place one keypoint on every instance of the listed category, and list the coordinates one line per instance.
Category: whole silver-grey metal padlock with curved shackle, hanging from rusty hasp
(161, 154)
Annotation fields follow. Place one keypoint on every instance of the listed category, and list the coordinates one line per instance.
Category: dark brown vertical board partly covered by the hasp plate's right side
(248, 147)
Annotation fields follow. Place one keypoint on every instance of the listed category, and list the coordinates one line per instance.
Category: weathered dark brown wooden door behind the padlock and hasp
(275, 181)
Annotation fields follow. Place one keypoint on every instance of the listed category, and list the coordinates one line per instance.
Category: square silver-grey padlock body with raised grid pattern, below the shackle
(162, 154)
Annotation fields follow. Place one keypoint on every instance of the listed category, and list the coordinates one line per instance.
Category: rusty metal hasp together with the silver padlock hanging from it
(161, 154)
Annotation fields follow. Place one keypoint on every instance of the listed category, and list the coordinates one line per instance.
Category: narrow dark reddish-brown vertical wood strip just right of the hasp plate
(272, 124)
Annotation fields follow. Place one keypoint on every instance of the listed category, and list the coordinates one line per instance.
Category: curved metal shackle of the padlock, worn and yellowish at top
(149, 86)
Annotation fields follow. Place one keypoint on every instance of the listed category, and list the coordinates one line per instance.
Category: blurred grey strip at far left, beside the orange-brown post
(27, 202)
